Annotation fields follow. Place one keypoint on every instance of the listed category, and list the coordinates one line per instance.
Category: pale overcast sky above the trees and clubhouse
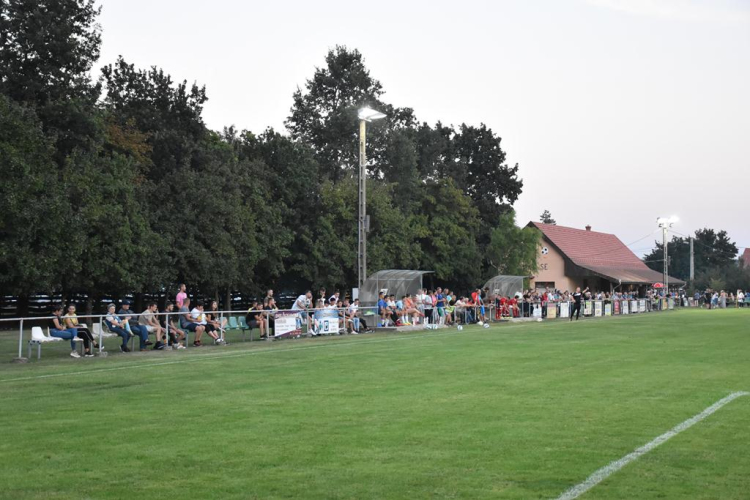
(617, 111)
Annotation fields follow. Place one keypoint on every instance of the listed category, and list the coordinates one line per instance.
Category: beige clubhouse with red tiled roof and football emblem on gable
(571, 257)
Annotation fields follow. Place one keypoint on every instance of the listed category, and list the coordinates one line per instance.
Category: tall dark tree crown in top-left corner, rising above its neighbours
(46, 52)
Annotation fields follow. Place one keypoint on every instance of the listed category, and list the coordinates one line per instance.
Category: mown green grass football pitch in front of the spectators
(514, 411)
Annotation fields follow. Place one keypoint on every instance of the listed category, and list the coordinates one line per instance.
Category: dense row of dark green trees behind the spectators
(115, 184)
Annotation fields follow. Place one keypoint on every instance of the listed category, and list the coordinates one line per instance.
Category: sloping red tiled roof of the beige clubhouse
(601, 253)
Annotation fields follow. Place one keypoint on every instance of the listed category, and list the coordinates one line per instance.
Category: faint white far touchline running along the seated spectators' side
(201, 357)
